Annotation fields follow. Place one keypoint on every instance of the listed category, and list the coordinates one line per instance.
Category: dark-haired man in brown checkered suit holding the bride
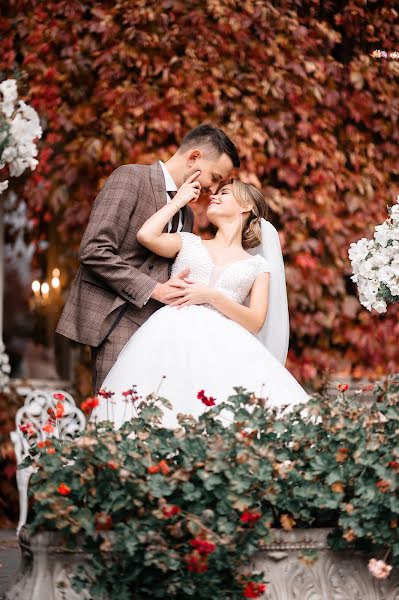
(120, 284)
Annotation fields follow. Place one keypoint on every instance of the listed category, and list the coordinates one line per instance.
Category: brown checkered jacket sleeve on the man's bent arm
(105, 232)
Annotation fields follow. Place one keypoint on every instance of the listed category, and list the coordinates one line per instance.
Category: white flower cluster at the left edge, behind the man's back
(19, 126)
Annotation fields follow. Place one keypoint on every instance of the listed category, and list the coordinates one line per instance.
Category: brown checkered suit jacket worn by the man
(114, 268)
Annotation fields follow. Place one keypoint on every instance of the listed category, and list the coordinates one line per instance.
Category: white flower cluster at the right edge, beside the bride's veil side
(375, 264)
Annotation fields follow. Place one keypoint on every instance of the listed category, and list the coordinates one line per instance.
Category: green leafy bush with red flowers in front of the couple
(144, 499)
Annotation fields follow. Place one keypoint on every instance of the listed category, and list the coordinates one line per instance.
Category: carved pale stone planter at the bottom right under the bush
(333, 576)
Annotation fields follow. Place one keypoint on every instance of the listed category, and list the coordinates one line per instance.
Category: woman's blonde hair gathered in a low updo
(247, 194)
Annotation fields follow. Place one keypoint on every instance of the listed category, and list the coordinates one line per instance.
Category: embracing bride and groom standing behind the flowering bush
(156, 303)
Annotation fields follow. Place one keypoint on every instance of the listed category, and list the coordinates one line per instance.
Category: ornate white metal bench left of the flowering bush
(34, 411)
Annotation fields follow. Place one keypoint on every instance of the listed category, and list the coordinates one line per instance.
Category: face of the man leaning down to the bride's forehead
(214, 170)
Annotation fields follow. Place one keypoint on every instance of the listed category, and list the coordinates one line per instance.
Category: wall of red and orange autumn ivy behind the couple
(314, 116)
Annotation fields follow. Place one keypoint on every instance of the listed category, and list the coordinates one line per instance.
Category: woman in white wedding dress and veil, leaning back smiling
(229, 327)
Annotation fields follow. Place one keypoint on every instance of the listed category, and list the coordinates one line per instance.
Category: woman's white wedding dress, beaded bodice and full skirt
(197, 348)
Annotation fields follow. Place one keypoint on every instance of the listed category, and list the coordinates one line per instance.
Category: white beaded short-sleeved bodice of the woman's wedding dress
(234, 280)
